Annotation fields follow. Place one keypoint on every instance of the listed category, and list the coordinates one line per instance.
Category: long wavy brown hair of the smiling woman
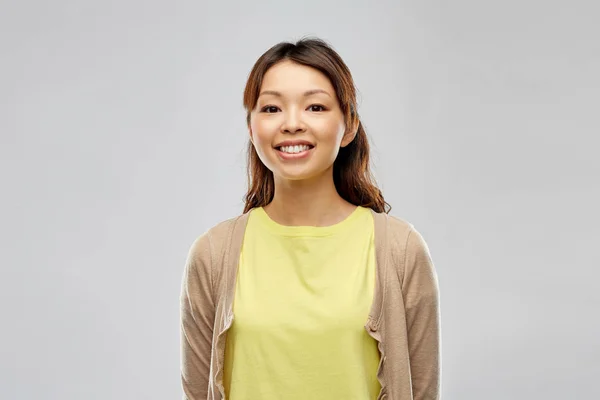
(351, 174)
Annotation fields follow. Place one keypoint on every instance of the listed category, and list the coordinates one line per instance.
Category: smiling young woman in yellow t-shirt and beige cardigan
(314, 292)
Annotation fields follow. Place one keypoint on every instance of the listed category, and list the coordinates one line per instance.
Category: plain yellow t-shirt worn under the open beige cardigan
(302, 298)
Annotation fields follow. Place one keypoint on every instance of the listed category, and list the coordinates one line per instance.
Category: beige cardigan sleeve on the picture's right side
(422, 309)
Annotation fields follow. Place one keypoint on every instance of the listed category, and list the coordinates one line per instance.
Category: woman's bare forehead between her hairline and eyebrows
(290, 78)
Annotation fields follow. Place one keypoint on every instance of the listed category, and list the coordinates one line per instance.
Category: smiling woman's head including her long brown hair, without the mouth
(304, 91)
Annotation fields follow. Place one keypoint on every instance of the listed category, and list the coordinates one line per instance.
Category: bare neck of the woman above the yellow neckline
(308, 202)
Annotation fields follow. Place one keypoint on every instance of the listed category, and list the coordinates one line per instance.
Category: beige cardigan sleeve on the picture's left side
(197, 313)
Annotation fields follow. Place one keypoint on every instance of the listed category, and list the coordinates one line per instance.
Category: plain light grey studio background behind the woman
(123, 136)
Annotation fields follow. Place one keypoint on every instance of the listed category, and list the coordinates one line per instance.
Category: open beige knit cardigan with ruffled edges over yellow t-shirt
(404, 316)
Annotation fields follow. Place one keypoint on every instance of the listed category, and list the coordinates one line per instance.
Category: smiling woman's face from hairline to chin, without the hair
(285, 111)
